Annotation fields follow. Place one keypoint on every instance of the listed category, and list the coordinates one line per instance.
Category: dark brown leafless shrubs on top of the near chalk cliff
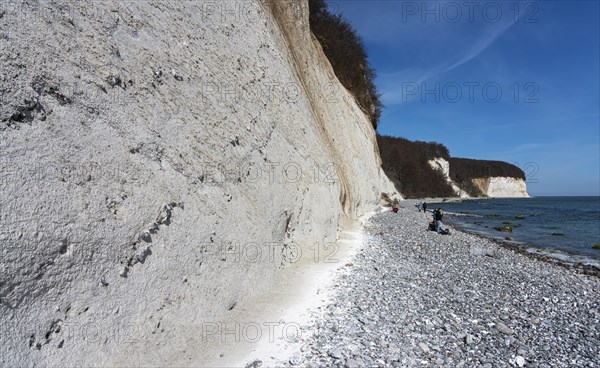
(347, 54)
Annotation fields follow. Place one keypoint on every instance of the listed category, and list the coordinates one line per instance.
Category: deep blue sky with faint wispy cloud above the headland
(502, 80)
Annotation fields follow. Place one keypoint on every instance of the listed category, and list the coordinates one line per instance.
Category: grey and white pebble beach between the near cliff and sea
(414, 298)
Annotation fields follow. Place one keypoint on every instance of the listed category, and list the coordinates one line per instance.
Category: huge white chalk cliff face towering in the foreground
(160, 162)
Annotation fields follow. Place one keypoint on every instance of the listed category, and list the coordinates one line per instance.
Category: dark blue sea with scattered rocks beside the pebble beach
(562, 227)
